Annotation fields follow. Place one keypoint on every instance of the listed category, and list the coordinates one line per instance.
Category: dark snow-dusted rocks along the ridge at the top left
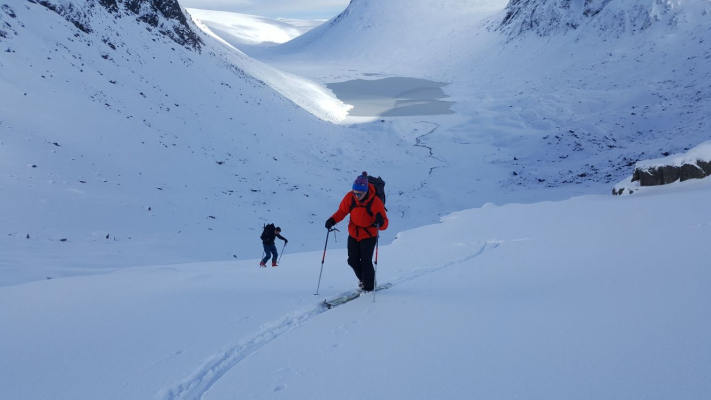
(164, 15)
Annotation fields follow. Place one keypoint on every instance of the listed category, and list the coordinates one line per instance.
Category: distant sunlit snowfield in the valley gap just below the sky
(243, 29)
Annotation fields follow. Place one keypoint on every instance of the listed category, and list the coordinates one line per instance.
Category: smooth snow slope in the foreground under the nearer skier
(593, 297)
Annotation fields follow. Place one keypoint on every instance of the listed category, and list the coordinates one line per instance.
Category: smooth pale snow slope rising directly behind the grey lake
(394, 36)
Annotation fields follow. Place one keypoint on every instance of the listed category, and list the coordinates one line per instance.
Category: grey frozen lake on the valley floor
(392, 97)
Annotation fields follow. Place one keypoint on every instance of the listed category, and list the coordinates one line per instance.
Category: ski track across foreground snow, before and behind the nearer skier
(199, 382)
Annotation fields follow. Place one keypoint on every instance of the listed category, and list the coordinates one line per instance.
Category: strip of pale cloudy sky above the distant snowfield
(301, 9)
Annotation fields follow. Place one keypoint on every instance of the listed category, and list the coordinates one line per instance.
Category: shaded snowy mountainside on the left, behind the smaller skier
(127, 135)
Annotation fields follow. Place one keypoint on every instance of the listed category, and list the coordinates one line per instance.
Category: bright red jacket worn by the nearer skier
(361, 225)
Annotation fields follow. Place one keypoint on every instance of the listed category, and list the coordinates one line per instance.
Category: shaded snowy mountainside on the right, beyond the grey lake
(565, 93)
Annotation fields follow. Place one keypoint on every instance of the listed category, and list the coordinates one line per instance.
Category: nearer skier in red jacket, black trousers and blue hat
(367, 217)
